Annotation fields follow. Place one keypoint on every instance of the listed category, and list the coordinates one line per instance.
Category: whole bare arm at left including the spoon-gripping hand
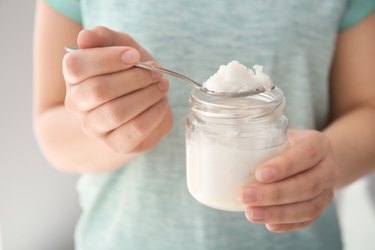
(60, 133)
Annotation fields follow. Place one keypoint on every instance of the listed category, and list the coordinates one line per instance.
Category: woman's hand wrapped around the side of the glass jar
(293, 189)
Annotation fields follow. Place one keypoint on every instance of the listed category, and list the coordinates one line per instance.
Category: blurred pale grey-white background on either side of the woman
(38, 205)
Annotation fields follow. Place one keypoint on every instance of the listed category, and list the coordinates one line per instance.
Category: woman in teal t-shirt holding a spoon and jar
(112, 122)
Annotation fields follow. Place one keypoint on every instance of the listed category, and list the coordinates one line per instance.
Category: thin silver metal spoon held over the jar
(190, 81)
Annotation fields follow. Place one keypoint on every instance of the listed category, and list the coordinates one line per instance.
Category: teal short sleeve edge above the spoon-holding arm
(69, 8)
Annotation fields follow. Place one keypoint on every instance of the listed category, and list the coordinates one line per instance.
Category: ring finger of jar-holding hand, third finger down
(291, 213)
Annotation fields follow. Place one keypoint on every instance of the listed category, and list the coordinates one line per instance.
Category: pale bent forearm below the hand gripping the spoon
(69, 149)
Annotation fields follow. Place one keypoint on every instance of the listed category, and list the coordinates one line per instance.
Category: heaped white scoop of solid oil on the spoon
(235, 77)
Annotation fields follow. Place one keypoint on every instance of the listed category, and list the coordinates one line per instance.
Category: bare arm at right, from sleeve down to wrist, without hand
(352, 131)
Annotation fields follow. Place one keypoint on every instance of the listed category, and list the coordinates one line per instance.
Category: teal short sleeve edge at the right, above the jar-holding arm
(356, 11)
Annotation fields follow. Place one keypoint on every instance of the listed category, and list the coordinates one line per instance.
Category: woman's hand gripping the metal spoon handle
(124, 106)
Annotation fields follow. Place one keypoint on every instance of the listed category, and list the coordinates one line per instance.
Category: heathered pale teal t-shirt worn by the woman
(146, 204)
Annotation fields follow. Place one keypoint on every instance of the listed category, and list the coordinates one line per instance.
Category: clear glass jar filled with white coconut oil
(226, 139)
